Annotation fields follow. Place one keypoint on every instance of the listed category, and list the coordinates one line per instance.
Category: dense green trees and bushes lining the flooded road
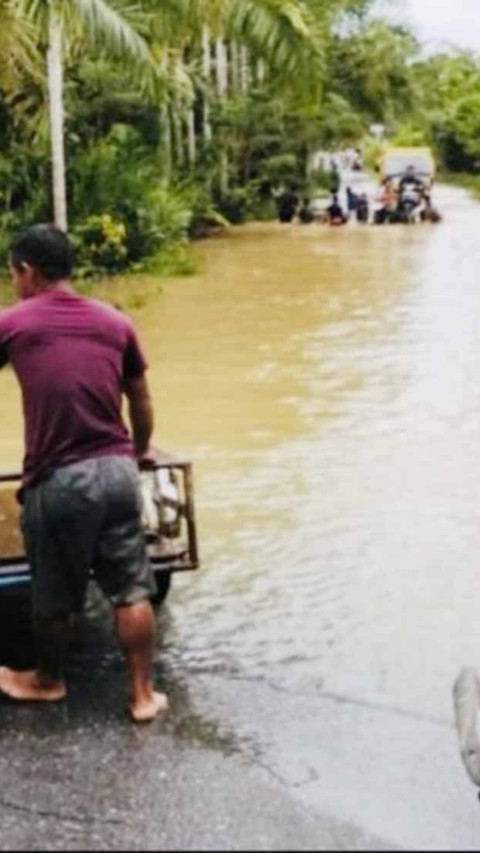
(319, 74)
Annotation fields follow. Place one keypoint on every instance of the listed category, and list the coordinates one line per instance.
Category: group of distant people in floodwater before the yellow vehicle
(401, 200)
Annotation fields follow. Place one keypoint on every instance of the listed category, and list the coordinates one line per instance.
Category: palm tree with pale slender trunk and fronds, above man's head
(97, 20)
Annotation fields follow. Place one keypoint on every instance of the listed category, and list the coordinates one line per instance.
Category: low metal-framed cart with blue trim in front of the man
(168, 521)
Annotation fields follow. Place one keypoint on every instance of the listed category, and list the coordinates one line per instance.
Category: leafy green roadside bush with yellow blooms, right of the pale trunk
(119, 176)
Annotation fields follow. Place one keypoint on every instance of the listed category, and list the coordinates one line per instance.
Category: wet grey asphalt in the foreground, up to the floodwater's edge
(238, 763)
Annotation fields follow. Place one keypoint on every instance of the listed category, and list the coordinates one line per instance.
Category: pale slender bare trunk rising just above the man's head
(57, 129)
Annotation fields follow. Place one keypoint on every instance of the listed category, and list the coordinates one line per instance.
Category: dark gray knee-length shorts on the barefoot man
(85, 517)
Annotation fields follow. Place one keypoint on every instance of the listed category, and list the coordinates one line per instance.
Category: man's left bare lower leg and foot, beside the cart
(47, 682)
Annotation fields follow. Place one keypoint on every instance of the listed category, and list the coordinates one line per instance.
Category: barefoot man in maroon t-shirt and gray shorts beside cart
(74, 358)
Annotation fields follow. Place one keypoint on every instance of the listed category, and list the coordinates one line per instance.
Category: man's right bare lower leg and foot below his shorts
(135, 625)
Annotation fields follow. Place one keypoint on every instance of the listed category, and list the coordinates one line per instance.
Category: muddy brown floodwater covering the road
(326, 384)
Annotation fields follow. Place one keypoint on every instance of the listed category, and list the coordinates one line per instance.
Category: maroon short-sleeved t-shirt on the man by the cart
(71, 356)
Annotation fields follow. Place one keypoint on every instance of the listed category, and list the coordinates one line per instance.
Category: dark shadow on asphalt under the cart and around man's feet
(96, 675)
